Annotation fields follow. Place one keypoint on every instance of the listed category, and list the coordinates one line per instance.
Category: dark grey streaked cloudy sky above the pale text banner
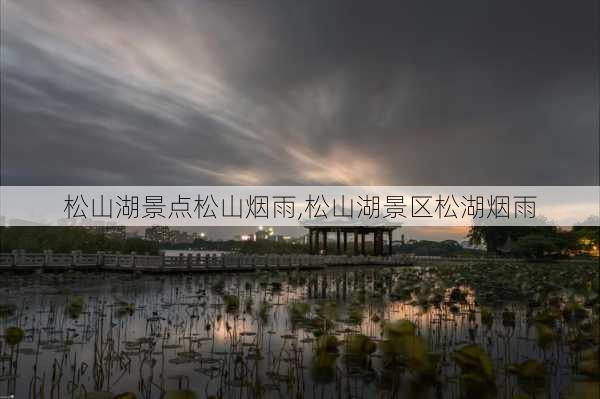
(275, 92)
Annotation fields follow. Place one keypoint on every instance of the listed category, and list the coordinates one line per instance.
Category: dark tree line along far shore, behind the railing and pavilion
(515, 241)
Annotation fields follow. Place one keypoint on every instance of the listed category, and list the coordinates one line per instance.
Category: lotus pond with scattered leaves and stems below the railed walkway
(442, 331)
